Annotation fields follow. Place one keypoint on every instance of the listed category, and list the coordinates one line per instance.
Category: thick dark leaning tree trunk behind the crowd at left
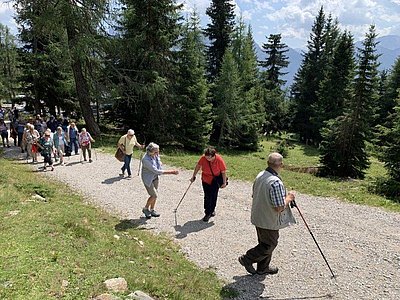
(81, 84)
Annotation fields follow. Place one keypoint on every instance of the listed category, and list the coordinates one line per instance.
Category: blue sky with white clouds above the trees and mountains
(292, 18)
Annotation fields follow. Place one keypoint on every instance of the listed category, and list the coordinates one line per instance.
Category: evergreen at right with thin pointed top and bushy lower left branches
(343, 149)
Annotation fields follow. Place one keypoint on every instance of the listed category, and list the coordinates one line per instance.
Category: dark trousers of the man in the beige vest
(262, 253)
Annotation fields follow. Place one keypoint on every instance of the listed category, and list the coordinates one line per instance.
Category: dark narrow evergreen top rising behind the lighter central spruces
(221, 13)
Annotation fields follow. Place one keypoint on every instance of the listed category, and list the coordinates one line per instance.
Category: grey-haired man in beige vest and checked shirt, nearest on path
(270, 212)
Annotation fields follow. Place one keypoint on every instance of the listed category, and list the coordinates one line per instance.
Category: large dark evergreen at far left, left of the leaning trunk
(45, 70)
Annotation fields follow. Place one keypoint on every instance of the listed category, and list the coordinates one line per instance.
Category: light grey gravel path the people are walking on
(361, 244)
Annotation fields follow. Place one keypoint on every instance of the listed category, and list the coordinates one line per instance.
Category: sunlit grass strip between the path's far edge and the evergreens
(245, 166)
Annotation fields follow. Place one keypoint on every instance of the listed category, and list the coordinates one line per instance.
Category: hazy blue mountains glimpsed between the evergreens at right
(388, 47)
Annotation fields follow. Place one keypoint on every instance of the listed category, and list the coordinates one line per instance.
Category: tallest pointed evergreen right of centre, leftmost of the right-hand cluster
(308, 79)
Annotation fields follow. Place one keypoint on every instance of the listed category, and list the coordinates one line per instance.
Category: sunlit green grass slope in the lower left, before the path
(44, 243)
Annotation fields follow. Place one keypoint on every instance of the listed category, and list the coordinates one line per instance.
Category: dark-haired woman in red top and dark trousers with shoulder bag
(211, 165)
